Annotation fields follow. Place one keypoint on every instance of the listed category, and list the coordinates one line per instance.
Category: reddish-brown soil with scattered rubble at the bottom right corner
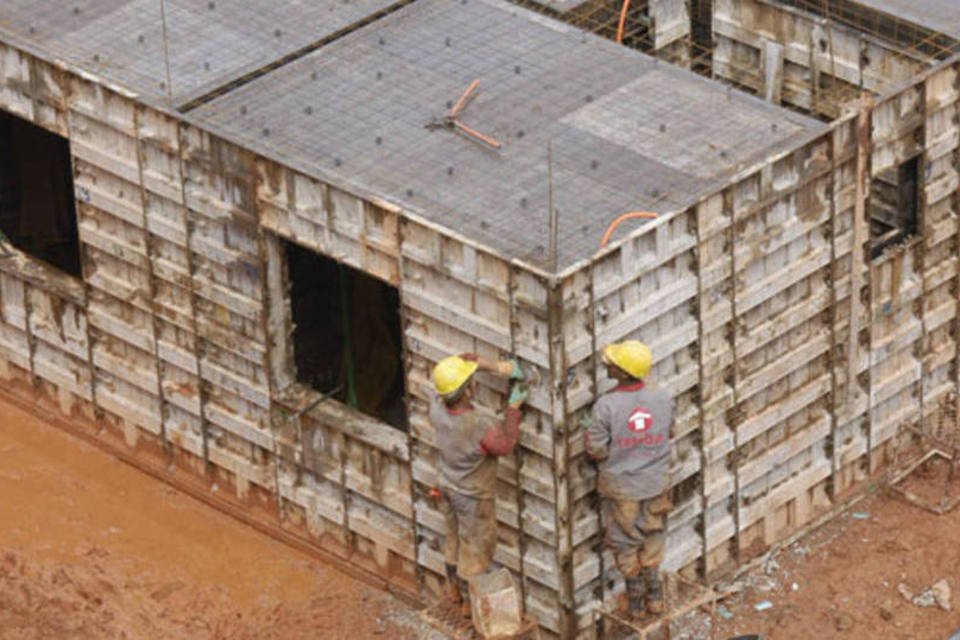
(842, 580)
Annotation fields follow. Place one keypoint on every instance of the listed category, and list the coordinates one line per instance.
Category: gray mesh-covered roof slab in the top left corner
(209, 42)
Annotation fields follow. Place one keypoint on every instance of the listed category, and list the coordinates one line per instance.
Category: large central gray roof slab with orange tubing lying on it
(627, 133)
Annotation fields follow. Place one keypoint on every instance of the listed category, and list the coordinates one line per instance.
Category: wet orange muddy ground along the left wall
(92, 548)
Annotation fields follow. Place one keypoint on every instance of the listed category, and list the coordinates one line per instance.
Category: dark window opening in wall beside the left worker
(347, 334)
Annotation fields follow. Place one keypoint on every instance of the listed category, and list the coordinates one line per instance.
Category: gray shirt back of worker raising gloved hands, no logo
(464, 466)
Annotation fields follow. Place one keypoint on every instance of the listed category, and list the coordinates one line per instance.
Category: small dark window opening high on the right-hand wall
(894, 206)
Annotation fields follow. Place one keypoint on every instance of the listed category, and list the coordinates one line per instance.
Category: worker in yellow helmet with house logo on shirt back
(629, 437)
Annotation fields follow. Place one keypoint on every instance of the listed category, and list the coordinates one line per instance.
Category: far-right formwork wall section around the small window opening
(913, 290)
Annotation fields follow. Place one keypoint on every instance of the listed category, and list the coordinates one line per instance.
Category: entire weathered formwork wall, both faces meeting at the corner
(178, 339)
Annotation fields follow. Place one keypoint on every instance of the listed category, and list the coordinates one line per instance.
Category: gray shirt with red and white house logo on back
(630, 434)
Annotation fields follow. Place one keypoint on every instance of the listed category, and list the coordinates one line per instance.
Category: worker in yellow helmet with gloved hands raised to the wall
(470, 444)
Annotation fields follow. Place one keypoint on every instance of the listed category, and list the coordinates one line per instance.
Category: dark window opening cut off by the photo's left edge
(37, 213)
